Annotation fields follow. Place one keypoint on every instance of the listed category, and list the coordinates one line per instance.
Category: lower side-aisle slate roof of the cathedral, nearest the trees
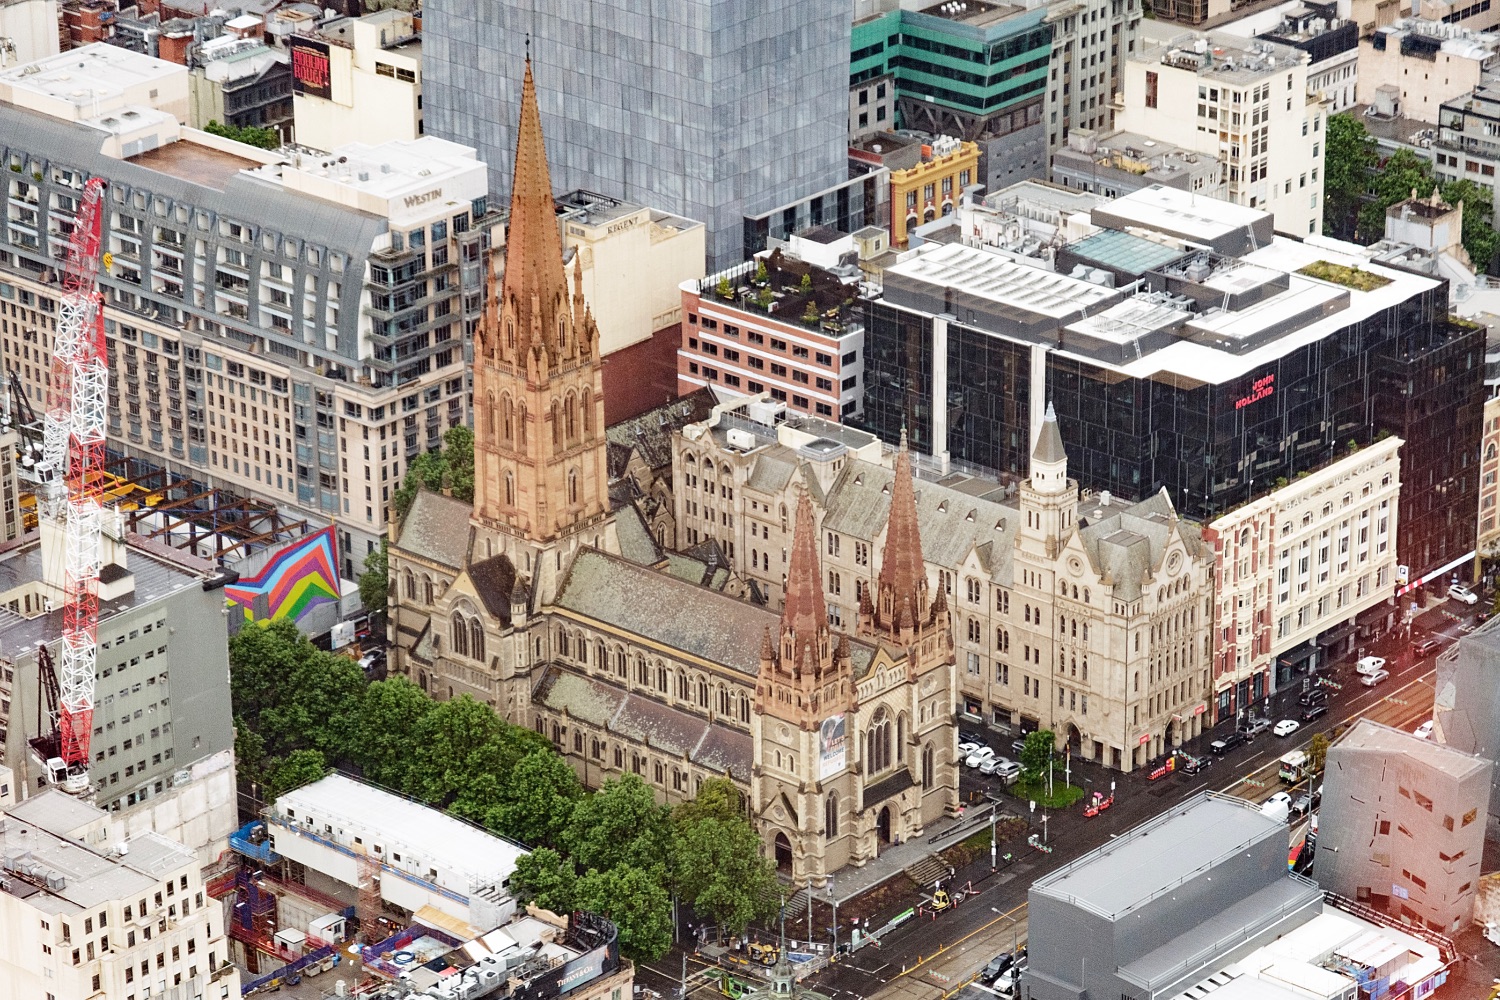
(644, 720)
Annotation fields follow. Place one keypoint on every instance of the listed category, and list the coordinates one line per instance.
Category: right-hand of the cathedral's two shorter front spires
(904, 611)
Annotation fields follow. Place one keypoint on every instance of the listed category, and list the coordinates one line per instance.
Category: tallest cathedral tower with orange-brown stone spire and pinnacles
(539, 413)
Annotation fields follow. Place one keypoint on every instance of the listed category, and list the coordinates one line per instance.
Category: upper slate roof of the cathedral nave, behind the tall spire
(656, 606)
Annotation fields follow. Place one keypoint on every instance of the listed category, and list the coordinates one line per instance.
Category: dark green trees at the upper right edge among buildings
(1358, 188)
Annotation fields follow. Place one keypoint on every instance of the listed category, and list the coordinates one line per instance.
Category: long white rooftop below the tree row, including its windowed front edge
(400, 833)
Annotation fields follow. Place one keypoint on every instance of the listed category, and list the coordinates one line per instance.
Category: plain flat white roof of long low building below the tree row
(392, 821)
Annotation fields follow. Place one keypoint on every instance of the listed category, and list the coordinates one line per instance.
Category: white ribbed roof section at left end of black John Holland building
(1003, 281)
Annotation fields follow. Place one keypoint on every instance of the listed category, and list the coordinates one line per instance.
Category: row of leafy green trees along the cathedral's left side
(299, 711)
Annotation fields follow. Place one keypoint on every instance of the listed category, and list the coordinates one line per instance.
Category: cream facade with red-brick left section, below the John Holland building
(1297, 567)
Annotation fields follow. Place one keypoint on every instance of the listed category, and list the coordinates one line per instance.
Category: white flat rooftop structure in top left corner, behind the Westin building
(97, 79)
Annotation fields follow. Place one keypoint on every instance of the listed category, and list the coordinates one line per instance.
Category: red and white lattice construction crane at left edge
(74, 452)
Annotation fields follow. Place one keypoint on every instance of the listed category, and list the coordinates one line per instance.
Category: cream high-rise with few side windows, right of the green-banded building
(1246, 103)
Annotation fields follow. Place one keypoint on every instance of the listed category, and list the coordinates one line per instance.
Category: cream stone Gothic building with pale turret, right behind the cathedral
(1081, 615)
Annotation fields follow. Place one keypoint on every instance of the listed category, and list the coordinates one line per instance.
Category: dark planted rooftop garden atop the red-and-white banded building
(790, 290)
